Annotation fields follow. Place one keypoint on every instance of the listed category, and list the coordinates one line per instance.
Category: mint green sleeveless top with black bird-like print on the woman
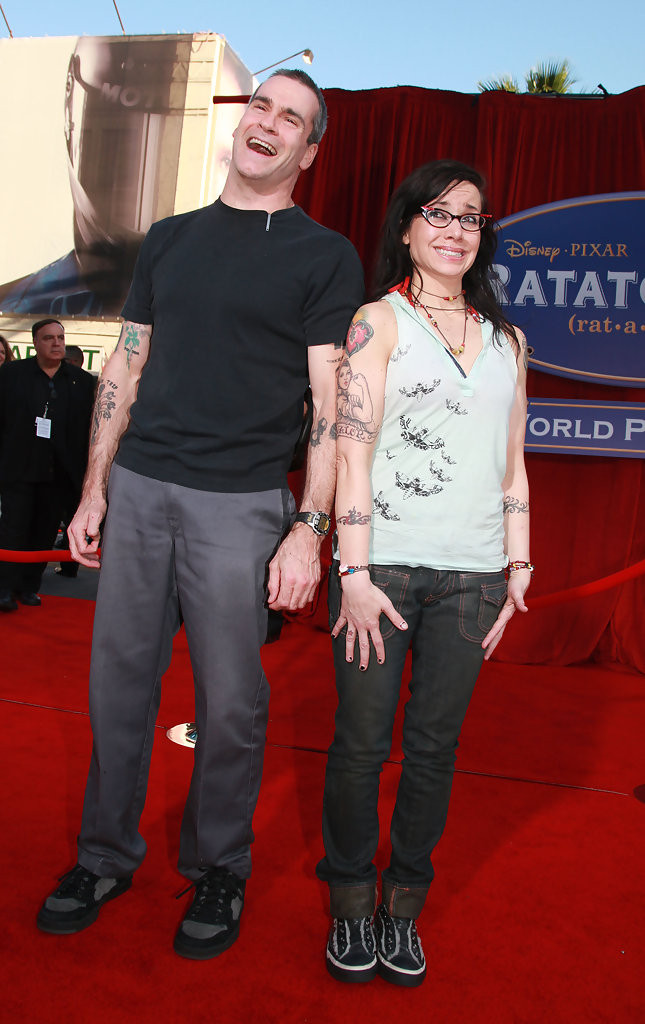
(441, 457)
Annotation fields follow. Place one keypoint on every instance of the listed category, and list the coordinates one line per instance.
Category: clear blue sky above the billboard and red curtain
(368, 46)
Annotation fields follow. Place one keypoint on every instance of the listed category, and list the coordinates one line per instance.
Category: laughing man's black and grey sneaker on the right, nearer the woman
(212, 923)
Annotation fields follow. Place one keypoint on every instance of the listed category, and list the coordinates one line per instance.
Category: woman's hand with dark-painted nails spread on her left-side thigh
(362, 608)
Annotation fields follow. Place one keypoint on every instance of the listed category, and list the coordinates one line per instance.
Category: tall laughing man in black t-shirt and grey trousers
(233, 311)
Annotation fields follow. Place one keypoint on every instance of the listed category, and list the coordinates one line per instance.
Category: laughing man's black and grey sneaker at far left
(76, 903)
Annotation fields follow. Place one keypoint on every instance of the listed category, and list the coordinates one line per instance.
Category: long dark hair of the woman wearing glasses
(395, 264)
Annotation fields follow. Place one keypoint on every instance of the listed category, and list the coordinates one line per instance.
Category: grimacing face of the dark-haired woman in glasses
(446, 253)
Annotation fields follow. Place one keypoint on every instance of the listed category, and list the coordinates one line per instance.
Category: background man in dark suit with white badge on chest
(46, 410)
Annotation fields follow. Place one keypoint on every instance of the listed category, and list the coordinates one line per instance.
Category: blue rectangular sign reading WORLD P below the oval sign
(613, 429)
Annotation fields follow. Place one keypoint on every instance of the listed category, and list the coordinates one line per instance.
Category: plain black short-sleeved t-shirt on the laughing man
(235, 297)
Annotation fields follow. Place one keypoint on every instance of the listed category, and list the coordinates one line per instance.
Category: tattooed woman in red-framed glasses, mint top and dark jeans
(433, 514)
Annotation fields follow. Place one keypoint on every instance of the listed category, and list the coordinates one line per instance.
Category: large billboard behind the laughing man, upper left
(103, 137)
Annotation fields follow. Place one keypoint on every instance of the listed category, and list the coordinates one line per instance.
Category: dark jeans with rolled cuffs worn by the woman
(449, 615)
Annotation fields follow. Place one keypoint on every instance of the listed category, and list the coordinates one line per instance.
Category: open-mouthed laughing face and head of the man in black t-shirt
(271, 143)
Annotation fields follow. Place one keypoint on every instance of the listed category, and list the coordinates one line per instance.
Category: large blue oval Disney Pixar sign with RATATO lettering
(572, 276)
